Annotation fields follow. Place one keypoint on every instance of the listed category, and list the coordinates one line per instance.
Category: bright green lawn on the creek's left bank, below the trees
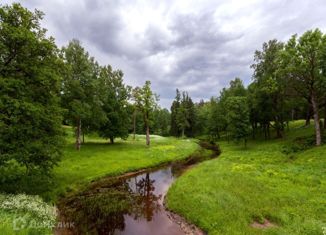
(97, 159)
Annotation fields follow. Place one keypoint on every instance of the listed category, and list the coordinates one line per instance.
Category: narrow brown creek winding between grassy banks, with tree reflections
(129, 204)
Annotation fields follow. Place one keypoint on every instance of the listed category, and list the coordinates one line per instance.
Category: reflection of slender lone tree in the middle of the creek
(147, 201)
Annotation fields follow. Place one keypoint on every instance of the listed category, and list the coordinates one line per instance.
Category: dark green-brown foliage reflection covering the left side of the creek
(99, 212)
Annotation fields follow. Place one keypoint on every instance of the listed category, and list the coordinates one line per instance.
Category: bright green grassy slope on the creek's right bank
(225, 195)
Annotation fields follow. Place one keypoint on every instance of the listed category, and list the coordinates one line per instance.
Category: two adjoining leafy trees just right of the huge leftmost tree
(95, 97)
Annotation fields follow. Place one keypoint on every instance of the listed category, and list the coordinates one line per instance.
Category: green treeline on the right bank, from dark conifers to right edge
(288, 83)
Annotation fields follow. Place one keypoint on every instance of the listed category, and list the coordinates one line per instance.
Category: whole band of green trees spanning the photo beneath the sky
(43, 86)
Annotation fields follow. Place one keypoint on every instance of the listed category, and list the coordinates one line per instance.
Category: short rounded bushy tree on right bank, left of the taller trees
(238, 118)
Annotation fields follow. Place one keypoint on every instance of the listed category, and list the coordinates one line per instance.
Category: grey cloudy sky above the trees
(193, 45)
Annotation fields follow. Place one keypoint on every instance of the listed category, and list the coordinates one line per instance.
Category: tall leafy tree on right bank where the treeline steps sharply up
(270, 88)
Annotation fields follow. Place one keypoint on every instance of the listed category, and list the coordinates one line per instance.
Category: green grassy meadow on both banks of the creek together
(225, 195)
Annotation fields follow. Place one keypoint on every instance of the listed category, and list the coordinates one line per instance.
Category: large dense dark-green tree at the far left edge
(30, 117)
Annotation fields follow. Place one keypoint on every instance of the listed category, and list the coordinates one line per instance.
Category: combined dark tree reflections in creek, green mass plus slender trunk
(102, 211)
